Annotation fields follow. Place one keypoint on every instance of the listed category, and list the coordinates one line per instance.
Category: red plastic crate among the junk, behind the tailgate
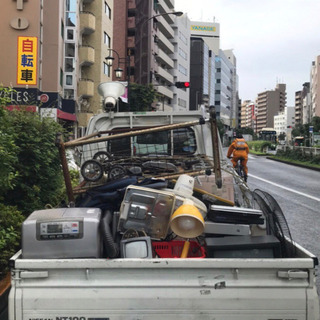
(173, 249)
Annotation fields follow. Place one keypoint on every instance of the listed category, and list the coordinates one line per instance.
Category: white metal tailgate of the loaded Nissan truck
(207, 288)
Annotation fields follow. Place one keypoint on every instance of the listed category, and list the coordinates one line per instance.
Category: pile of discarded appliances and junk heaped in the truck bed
(157, 192)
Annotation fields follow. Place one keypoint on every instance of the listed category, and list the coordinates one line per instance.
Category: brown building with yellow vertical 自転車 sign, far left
(34, 37)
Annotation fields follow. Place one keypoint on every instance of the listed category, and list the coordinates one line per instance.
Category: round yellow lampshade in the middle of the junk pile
(187, 221)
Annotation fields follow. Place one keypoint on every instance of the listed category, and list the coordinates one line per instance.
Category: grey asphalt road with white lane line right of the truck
(297, 190)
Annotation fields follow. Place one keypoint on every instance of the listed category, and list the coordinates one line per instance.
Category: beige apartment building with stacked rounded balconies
(95, 38)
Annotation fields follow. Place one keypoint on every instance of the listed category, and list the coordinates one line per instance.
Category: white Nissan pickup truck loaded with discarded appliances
(242, 266)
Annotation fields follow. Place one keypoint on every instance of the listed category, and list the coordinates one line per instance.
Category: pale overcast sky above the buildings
(274, 41)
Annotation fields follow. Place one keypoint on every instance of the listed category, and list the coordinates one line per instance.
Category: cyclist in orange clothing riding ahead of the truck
(240, 150)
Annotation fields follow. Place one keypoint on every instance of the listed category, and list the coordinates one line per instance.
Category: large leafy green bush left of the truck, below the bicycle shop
(31, 175)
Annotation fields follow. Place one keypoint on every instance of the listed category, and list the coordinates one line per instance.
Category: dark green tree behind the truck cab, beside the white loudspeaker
(141, 98)
